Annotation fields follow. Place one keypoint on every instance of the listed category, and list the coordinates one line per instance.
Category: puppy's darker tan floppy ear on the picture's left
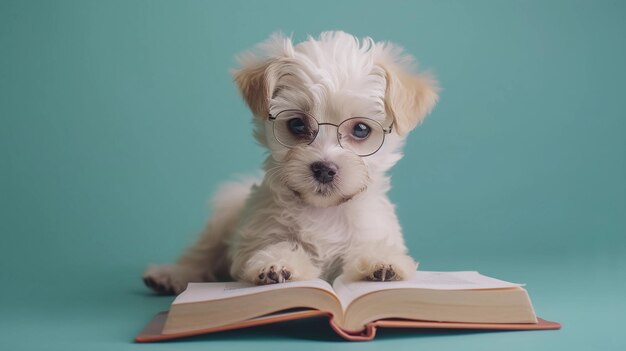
(255, 86)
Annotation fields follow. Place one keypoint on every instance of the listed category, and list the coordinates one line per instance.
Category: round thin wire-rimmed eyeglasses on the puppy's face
(361, 135)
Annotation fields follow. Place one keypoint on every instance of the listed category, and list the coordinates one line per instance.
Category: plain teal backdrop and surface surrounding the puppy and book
(118, 119)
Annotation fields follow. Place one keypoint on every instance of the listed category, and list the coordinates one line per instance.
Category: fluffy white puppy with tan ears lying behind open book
(333, 112)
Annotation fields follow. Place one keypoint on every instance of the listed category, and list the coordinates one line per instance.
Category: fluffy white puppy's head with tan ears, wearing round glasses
(333, 111)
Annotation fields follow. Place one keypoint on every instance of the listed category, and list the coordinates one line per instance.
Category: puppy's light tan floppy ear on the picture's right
(409, 97)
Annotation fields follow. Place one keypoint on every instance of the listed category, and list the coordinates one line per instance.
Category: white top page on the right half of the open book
(348, 291)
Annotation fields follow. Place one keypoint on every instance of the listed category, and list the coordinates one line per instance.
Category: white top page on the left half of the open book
(197, 292)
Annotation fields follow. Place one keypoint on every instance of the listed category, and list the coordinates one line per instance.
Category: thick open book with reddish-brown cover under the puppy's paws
(356, 308)
